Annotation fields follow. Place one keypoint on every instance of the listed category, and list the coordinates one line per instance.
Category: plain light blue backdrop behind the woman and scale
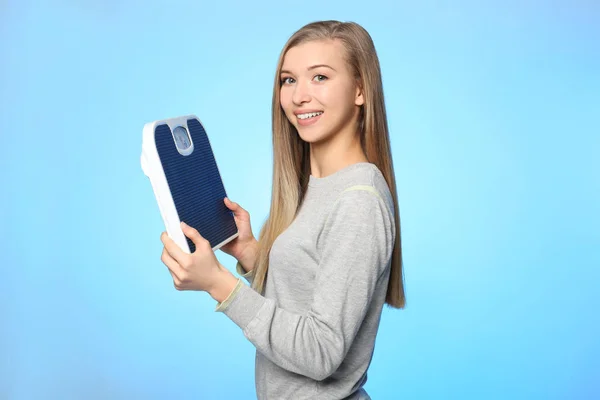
(494, 112)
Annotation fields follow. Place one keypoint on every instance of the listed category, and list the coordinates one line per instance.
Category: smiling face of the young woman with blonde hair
(319, 94)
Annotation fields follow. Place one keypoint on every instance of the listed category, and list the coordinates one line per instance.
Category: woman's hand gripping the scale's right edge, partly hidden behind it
(242, 247)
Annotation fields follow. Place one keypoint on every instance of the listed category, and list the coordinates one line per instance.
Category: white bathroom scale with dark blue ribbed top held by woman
(179, 161)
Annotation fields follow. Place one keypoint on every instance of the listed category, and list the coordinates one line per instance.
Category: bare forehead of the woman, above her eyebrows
(302, 56)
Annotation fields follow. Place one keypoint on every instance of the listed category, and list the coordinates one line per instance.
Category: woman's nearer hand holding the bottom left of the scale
(197, 271)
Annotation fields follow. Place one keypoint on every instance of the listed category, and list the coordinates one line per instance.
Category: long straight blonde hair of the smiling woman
(291, 165)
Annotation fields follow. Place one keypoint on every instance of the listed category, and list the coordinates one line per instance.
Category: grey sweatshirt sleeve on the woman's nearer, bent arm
(356, 245)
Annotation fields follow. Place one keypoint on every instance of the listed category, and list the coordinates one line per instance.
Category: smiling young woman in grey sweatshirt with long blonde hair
(329, 255)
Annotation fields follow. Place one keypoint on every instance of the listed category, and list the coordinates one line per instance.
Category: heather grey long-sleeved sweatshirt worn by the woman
(315, 327)
